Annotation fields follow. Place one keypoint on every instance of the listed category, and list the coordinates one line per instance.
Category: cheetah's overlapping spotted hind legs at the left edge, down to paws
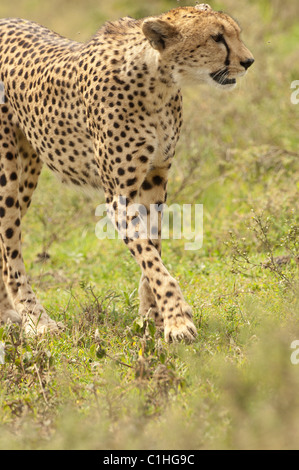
(25, 168)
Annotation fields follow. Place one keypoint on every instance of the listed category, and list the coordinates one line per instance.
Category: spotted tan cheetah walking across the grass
(104, 114)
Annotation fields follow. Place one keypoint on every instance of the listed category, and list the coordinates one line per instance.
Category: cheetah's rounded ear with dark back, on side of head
(158, 32)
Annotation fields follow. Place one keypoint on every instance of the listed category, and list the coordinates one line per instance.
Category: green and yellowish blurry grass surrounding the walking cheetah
(109, 381)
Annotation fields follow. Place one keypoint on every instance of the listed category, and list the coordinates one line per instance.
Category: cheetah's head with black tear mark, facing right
(199, 44)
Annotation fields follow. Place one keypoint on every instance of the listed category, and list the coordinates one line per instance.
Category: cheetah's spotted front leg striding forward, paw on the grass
(176, 313)
